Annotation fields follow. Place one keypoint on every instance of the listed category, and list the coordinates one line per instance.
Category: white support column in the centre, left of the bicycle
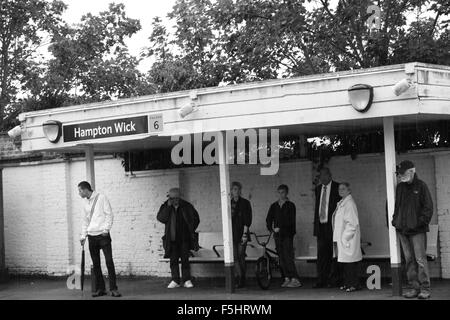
(226, 211)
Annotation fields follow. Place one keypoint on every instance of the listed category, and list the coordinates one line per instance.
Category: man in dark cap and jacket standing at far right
(412, 215)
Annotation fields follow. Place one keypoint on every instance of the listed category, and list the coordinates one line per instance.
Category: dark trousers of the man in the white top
(97, 243)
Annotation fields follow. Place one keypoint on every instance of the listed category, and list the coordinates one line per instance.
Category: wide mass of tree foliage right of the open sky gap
(234, 41)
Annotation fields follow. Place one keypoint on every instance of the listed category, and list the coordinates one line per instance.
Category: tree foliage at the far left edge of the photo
(22, 28)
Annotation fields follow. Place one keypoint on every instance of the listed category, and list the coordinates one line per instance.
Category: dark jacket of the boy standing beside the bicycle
(283, 218)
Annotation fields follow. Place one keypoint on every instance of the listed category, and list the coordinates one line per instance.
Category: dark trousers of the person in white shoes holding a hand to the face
(180, 250)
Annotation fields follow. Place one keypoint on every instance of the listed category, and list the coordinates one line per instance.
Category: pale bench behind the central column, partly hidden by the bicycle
(211, 249)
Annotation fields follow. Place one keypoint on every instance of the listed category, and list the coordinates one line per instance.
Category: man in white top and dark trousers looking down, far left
(97, 223)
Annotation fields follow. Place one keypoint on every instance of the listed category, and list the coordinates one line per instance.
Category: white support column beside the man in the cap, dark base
(391, 181)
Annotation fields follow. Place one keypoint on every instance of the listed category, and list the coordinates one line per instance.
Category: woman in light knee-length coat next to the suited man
(347, 238)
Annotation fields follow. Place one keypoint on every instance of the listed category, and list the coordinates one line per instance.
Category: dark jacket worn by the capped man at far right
(413, 207)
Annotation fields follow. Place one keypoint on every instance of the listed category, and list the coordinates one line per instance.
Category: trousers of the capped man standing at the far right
(414, 248)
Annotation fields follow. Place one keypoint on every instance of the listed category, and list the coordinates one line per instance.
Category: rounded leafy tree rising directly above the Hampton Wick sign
(90, 62)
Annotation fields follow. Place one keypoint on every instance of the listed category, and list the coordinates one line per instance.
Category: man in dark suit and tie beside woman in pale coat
(327, 197)
